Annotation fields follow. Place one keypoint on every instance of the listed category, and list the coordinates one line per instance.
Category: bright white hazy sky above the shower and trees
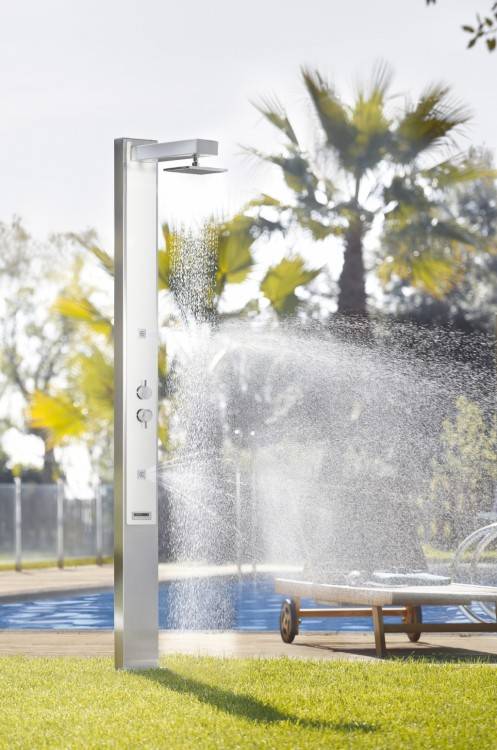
(76, 74)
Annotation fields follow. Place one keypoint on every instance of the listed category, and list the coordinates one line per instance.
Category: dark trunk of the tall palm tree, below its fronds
(352, 281)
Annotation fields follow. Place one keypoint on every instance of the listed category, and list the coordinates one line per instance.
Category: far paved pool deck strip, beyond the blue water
(42, 582)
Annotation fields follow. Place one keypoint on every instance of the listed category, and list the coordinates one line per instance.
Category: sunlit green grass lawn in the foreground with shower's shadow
(214, 703)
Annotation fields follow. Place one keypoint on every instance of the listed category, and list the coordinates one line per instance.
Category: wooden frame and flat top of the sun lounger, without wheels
(390, 602)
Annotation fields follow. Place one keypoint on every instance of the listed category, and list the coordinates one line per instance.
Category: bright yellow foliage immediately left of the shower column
(81, 408)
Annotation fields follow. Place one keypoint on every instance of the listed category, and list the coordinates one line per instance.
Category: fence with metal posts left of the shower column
(39, 523)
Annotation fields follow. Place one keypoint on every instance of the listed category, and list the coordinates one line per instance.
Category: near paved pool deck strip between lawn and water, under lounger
(311, 646)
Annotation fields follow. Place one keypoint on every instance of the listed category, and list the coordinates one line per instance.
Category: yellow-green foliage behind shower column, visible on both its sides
(194, 271)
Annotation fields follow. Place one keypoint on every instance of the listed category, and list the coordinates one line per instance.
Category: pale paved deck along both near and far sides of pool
(45, 582)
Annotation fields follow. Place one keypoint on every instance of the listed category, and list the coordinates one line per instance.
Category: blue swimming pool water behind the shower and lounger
(218, 603)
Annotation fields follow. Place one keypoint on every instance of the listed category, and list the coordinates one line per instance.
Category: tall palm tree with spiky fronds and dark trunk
(371, 165)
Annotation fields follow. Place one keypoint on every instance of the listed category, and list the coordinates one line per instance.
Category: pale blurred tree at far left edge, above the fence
(34, 344)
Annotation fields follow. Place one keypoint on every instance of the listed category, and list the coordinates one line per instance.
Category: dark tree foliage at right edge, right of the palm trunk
(463, 290)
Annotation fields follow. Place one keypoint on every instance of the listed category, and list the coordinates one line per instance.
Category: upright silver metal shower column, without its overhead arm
(135, 435)
